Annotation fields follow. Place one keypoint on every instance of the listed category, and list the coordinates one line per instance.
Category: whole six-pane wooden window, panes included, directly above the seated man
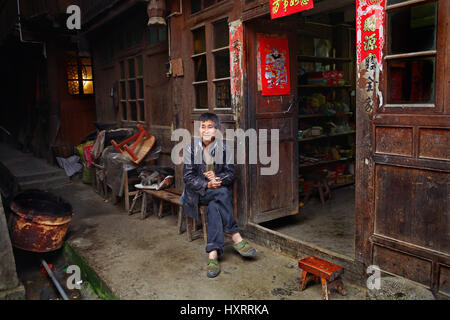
(215, 78)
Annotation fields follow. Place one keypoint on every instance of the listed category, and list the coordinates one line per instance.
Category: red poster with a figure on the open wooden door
(275, 77)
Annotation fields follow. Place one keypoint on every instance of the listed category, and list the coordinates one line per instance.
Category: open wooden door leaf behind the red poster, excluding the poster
(273, 196)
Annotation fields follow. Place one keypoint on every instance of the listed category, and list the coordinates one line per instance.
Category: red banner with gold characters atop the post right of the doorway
(369, 28)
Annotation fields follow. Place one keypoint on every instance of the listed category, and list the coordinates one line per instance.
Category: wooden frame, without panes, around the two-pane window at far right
(437, 105)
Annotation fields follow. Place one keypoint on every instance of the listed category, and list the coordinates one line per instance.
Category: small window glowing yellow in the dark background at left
(79, 74)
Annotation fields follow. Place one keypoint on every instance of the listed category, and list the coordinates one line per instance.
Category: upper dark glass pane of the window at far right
(413, 29)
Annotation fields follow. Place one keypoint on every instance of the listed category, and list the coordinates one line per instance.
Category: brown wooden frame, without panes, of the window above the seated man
(210, 54)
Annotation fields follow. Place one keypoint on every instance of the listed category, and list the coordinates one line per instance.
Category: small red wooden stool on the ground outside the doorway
(329, 274)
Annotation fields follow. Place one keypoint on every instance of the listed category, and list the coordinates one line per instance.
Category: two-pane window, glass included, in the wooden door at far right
(411, 53)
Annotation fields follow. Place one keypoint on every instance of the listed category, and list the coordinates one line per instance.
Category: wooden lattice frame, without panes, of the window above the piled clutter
(127, 100)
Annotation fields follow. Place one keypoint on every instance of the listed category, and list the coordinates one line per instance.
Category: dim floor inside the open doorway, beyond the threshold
(330, 226)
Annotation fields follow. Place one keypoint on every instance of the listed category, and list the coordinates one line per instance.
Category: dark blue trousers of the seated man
(220, 217)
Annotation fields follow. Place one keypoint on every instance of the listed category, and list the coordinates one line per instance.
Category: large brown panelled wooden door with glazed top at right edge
(403, 154)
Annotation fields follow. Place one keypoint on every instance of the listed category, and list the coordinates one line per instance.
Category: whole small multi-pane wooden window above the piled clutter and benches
(132, 89)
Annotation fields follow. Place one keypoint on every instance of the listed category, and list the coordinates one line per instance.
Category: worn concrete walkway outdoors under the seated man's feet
(148, 259)
